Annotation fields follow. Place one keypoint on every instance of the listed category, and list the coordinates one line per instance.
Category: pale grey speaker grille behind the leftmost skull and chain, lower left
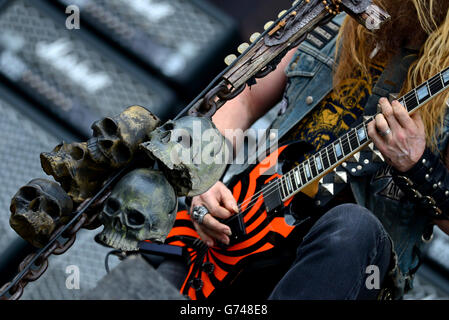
(21, 142)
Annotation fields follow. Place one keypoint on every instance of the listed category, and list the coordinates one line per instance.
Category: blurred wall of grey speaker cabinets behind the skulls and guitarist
(55, 82)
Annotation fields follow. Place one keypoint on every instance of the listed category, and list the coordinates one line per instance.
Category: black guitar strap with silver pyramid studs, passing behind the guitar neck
(369, 160)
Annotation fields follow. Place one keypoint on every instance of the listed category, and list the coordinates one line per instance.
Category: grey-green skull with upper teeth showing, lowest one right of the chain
(142, 206)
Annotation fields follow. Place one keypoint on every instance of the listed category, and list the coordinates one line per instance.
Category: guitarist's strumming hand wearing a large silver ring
(221, 204)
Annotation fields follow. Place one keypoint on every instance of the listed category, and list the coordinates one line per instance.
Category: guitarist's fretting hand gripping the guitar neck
(399, 137)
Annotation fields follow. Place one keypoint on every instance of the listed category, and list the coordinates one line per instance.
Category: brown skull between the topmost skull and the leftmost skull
(72, 167)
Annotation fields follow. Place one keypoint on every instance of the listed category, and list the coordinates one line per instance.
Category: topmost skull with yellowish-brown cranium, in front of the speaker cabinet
(116, 139)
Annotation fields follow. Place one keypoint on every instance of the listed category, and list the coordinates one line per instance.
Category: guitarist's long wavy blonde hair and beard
(356, 44)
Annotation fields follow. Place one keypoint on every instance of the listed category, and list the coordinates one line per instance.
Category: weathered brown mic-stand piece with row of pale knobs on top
(265, 50)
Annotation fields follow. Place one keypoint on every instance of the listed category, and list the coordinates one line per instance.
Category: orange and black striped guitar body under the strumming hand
(264, 244)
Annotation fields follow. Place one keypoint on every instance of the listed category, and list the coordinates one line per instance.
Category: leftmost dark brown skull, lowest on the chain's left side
(37, 209)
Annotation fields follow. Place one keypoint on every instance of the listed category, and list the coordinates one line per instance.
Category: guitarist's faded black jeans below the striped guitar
(331, 261)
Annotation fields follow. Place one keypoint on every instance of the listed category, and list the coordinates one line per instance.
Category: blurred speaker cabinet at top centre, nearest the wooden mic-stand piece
(184, 41)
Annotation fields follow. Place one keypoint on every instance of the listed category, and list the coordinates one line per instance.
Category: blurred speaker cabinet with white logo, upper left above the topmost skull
(68, 72)
